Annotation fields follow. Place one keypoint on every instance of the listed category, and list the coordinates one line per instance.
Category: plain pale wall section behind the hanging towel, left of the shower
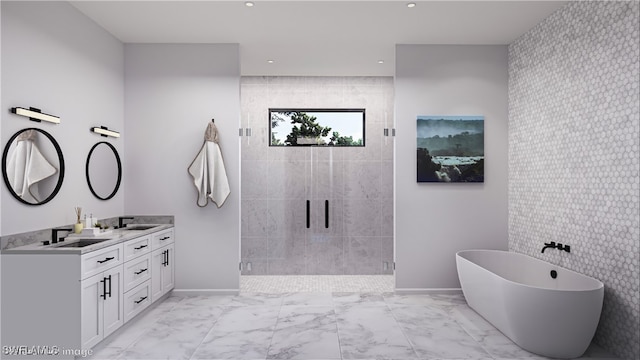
(172, 92)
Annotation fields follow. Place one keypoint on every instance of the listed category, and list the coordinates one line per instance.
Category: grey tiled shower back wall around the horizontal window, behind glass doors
(277, 181)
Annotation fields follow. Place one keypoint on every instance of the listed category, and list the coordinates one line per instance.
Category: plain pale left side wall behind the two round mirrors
(56, 59)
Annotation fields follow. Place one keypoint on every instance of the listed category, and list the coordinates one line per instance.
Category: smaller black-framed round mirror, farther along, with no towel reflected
(104, 170)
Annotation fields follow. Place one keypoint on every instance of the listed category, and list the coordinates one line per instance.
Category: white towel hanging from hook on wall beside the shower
(208, 172)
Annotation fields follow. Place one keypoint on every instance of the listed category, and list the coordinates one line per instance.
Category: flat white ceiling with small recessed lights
(318, 38)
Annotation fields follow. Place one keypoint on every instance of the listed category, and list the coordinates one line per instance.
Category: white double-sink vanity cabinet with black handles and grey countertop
(64, 298)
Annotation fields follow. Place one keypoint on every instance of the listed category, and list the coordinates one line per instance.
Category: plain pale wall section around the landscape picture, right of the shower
(435, 220)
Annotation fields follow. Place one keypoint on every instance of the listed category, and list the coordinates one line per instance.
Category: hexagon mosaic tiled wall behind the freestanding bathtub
(573, 153)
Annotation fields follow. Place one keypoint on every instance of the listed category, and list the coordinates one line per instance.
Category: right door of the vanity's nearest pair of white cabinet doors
(113, 310)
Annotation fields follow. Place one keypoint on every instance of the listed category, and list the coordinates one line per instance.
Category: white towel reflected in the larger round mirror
(27, 167)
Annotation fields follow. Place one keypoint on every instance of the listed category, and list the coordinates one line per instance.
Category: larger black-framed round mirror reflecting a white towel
(33, 166)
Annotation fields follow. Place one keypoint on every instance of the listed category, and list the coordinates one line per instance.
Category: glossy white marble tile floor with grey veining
(314, 326)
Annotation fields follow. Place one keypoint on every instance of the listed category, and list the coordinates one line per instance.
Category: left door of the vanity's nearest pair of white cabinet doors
(91, 304)
